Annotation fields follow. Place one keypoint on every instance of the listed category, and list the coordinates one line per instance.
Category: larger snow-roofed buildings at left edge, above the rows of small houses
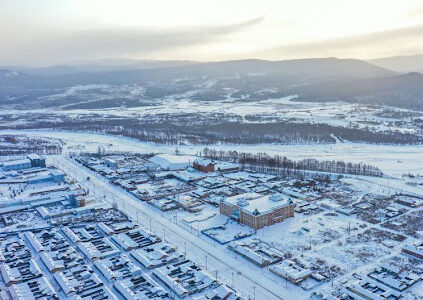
(31, 196)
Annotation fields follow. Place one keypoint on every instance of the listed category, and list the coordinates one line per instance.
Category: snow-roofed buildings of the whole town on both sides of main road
(57, 241)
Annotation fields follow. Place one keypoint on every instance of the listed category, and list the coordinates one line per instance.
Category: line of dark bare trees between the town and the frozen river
(265, 163)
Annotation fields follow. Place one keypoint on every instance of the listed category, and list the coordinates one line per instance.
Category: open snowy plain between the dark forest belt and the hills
(266, 110)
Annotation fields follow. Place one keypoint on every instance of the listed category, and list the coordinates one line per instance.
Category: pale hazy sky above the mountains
(40, 32)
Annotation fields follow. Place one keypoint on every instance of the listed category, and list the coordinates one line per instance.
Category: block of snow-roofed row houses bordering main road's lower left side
(140, 264)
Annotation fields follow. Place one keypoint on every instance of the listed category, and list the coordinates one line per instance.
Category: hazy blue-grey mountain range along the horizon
(379, 81)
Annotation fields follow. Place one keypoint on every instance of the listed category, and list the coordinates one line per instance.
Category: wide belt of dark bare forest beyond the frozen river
(216, 129)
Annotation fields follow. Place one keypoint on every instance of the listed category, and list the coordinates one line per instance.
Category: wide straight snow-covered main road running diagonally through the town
(249, 280)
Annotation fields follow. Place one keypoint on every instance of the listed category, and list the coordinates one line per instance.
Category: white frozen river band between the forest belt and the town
(393, 160)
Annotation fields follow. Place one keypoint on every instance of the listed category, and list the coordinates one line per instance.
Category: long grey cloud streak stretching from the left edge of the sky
(49, 46)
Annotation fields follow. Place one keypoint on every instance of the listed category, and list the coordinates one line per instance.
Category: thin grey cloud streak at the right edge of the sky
(390, 41)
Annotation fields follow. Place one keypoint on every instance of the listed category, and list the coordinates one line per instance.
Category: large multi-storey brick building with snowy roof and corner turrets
(256, 210)
